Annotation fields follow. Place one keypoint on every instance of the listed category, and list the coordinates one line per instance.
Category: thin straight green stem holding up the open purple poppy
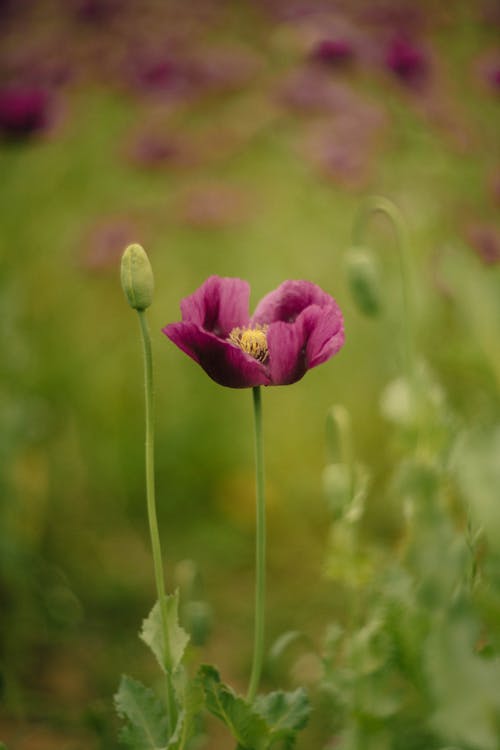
(260, 583)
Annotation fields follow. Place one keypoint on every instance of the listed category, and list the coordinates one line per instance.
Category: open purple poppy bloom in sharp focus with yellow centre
(294, 328)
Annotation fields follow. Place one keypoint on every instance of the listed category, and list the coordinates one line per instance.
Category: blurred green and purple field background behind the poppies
(235, 139)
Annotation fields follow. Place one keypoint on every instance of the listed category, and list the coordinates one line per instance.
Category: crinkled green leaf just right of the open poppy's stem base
(284, 713)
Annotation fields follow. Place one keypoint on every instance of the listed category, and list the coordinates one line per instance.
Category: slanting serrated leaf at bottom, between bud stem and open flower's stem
(246, 725)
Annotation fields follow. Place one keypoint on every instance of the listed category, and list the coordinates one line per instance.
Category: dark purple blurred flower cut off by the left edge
(24, 110)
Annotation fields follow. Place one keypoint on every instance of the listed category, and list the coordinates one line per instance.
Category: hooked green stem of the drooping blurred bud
(378, 204)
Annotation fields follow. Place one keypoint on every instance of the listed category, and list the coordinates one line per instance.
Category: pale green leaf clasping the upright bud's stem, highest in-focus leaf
(152, 634)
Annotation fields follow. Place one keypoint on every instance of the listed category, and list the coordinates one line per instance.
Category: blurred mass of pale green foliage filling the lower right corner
(419, 665)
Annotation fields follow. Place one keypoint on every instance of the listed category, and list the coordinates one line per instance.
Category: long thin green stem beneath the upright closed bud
(151, 505)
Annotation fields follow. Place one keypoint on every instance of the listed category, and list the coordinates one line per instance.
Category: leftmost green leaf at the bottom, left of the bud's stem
(147, 727)
